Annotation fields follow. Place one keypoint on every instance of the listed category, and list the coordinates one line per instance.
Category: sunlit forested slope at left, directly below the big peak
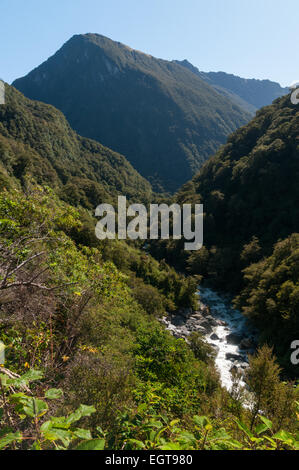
(37, 141)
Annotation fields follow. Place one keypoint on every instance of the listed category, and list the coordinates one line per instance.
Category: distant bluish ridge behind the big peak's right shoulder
(250, 94)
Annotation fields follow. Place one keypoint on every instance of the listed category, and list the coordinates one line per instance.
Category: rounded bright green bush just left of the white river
(171, 376)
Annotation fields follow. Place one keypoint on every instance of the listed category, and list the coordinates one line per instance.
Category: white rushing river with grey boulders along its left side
(223, 327)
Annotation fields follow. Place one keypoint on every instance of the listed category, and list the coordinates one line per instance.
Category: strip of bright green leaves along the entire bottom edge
(144, 429)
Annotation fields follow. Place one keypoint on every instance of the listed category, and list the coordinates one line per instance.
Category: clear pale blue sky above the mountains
(250, 38)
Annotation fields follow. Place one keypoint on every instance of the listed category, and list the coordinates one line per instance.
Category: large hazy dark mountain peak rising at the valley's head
(162, 117)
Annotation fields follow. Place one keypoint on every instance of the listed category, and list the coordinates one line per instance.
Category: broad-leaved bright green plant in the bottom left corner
(29, 412)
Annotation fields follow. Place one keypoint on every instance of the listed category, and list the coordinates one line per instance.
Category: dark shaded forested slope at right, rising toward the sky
(249, 188)
